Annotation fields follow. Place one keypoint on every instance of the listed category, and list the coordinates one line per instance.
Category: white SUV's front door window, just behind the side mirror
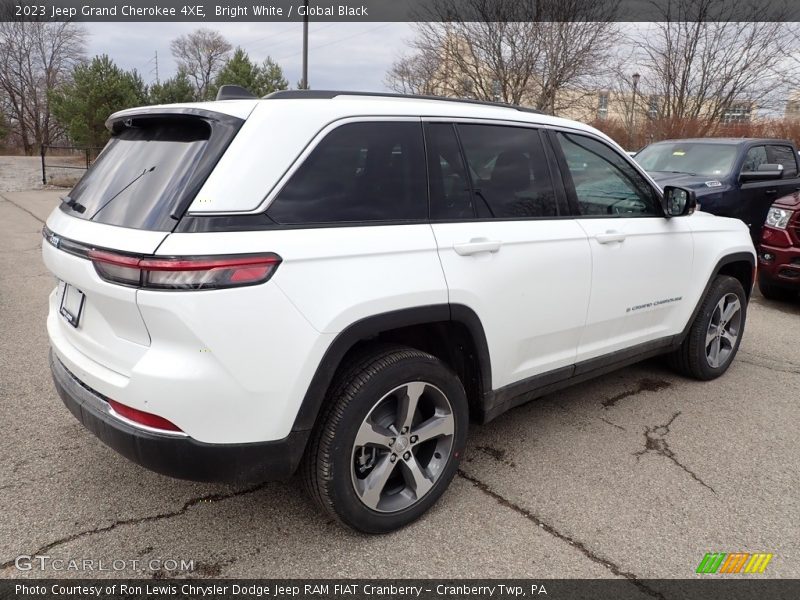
(605, 183)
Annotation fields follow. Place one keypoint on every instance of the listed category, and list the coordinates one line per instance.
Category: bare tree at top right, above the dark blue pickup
(701, 71)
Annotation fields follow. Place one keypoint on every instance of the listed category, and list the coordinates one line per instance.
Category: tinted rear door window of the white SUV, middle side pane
(509, 171)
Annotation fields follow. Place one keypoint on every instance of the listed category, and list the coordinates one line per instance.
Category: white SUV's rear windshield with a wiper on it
(142, 175)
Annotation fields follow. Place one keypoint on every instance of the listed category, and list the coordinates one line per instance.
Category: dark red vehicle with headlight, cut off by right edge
(779, 251)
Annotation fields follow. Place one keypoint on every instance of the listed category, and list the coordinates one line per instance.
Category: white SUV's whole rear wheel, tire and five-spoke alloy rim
(390, 440)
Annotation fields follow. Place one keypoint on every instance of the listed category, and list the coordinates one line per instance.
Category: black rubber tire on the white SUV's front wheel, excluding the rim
(692, 357)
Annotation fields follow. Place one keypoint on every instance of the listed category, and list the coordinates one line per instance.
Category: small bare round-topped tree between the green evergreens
(201, 54)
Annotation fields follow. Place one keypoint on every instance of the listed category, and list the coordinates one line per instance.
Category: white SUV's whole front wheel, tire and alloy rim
(716, 332)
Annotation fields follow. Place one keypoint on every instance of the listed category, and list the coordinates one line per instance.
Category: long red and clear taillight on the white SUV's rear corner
(184, 272)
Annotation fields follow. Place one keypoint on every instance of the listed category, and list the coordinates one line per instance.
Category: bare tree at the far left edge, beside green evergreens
(35, 58)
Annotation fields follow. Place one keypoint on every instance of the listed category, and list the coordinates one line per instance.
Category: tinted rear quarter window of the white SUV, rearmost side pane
(359, 172)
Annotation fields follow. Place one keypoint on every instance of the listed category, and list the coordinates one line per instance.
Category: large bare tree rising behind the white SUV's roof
(508, 50)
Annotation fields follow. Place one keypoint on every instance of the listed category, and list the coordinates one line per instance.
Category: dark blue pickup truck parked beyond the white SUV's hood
(732, 177)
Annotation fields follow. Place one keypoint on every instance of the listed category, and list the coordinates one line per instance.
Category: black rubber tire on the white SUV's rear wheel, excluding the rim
(329, 468)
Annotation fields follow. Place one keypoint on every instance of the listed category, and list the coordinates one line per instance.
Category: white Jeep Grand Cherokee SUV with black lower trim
(338, 281)
